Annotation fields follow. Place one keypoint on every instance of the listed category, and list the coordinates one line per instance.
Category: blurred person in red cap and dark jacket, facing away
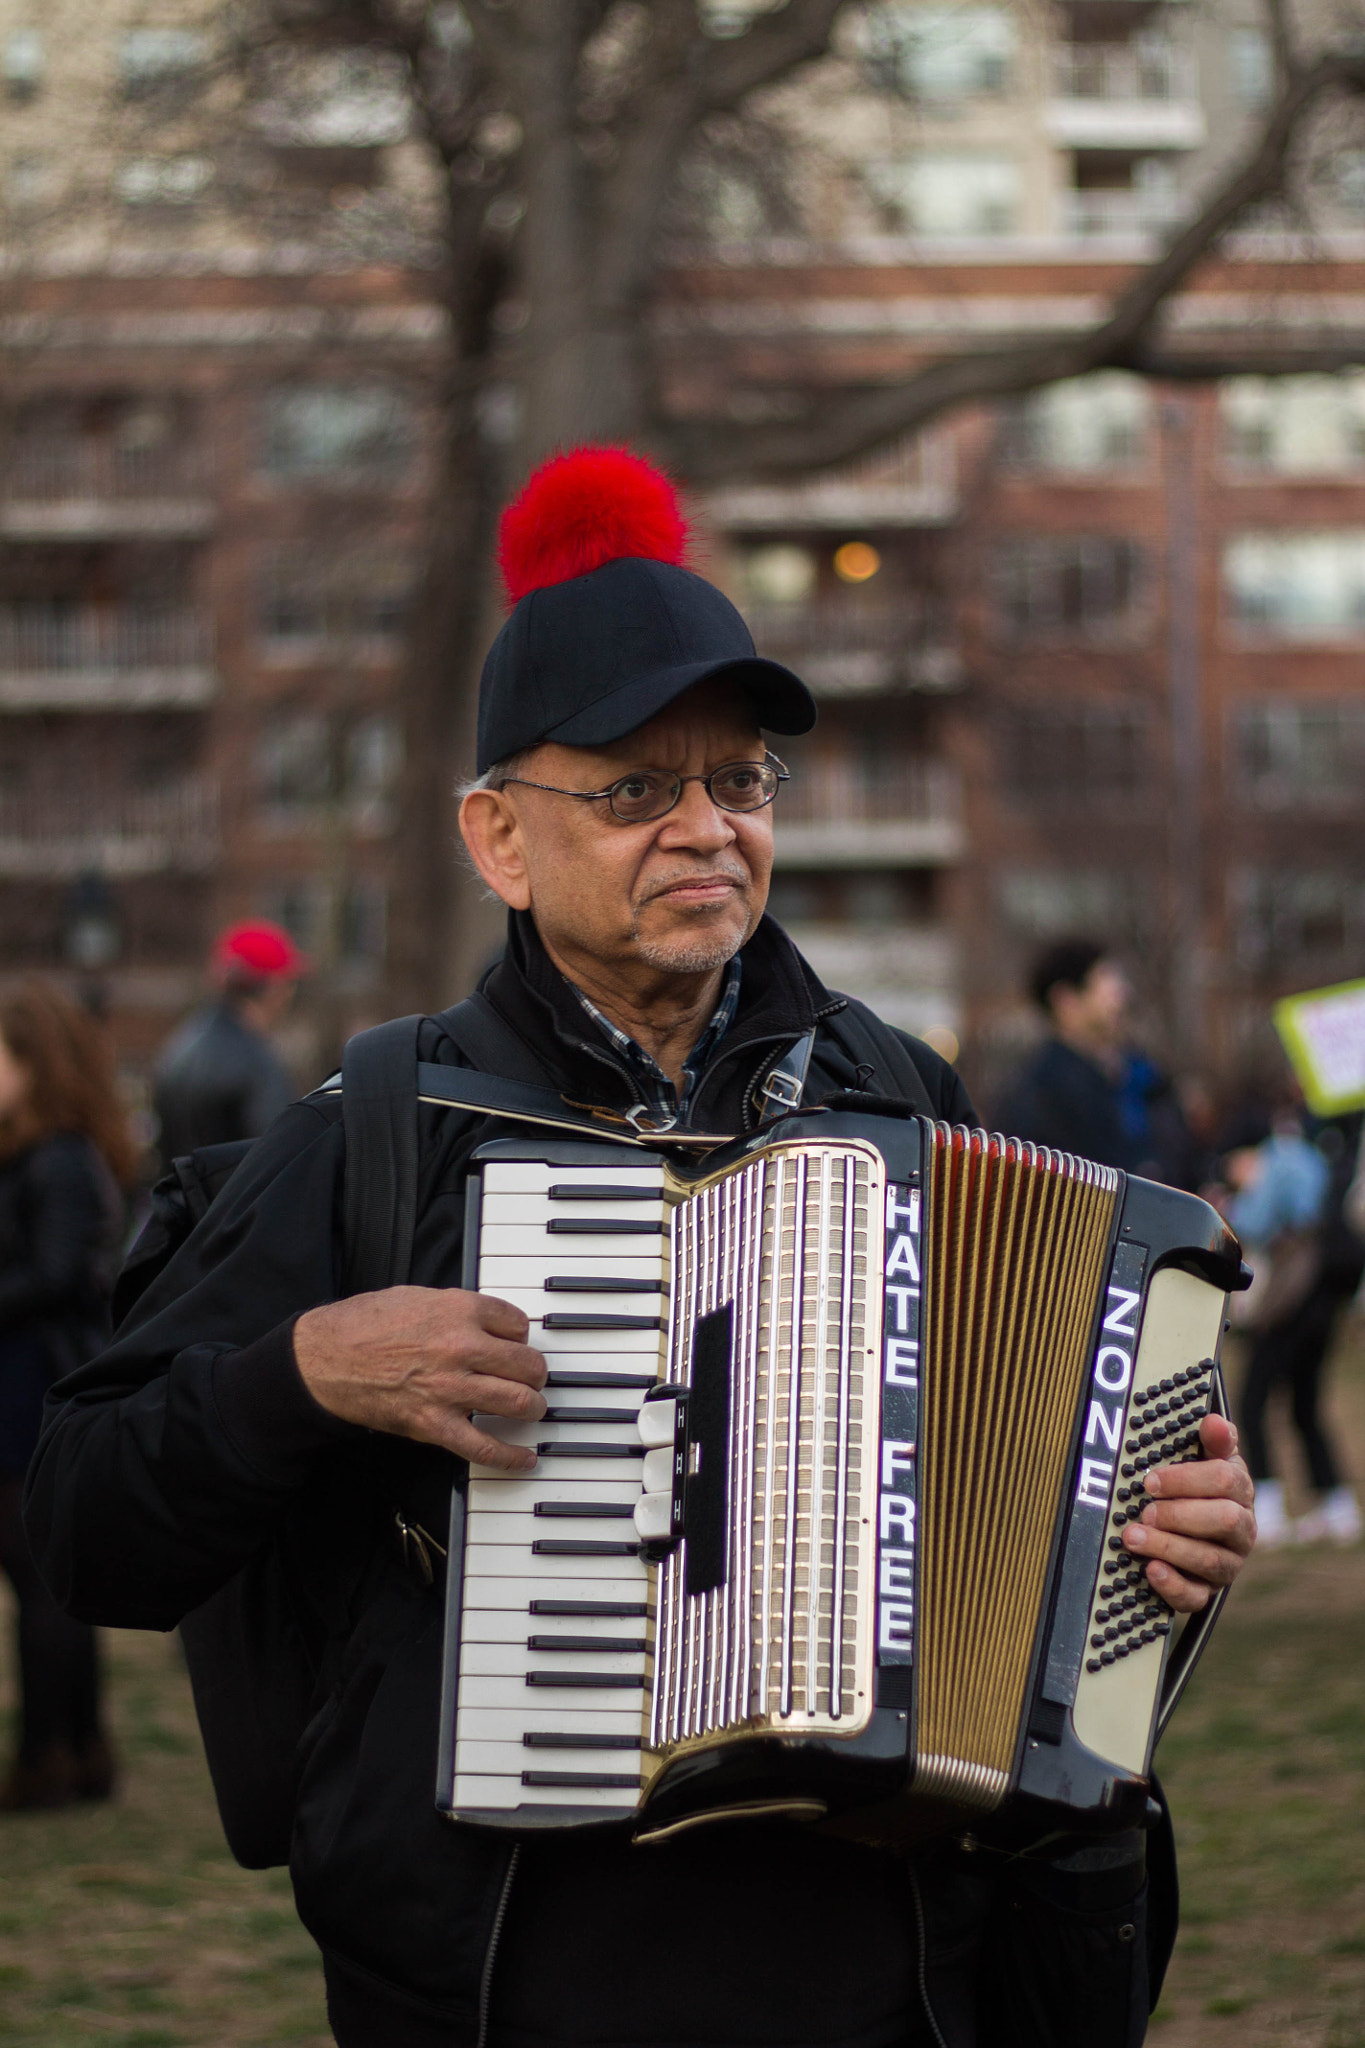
(220, 1078)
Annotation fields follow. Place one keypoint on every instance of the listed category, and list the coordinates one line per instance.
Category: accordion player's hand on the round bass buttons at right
(1198, 1527)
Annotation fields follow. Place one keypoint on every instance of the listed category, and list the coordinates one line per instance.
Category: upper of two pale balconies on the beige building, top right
(1125, 97)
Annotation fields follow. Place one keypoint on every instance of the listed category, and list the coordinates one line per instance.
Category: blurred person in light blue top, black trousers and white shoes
(1286, 1205)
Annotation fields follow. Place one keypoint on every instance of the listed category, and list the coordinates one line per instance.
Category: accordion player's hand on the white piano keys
(419, 1361)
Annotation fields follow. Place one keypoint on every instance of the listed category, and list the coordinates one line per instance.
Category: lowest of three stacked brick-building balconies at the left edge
(54, 835)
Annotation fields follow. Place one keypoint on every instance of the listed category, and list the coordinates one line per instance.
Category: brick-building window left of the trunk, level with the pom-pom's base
(316, 599)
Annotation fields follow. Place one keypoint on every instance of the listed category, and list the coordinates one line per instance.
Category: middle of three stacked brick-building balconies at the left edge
(58, 656)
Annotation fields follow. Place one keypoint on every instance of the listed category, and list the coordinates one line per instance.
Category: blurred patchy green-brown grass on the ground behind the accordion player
(130, 1924)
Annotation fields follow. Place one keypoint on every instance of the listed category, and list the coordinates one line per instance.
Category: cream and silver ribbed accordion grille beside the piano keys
(787, 1639)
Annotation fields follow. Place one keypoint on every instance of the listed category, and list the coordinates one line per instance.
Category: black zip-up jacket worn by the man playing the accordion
(193, 1443)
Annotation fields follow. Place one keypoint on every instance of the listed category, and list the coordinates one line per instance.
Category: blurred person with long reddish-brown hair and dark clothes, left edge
(67, 1164)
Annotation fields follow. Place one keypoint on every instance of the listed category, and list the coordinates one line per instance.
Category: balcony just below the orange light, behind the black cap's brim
(858, 648)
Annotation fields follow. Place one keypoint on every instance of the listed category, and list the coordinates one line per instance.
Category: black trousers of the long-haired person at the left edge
(58, 1662)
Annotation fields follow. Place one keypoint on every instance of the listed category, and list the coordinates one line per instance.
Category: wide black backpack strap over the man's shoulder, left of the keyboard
(380, 1113)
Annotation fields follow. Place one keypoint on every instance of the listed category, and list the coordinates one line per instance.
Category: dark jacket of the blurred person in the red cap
(218, 1080)
